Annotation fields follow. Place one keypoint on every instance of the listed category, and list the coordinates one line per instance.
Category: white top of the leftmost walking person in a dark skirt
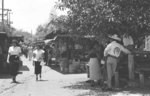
(14, 50)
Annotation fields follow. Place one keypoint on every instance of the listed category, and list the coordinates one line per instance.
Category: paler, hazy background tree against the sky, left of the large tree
(56, 25)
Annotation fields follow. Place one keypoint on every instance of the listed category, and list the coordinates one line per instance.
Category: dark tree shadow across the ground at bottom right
(97, 91)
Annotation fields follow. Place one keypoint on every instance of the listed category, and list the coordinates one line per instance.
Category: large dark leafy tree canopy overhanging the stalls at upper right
(108, 16)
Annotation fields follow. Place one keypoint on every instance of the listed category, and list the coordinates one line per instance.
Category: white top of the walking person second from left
(38, 55)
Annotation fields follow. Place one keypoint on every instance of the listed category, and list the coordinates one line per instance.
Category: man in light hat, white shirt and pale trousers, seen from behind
(112, 52)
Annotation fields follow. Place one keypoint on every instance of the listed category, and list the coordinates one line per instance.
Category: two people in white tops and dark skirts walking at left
(14, 60)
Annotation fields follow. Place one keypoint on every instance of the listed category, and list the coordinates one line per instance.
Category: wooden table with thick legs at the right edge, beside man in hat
(138, 63)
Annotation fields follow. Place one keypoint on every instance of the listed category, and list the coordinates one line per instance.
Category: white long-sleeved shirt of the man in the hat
(114, 49)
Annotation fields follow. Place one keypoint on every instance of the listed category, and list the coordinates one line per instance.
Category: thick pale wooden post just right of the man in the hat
(131, 67)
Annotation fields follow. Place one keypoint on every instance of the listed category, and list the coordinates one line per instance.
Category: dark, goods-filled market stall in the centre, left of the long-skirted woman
(76, 48)
